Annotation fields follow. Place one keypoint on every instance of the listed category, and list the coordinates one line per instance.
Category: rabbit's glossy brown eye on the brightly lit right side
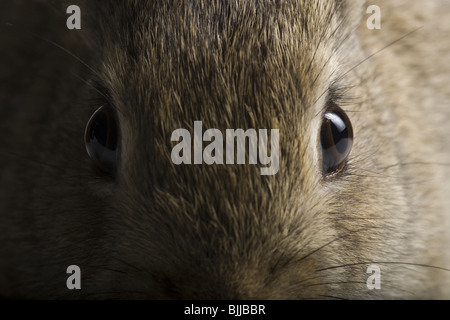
(336, 139)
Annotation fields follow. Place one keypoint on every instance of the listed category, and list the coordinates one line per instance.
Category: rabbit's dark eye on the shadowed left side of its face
(101, 139)
